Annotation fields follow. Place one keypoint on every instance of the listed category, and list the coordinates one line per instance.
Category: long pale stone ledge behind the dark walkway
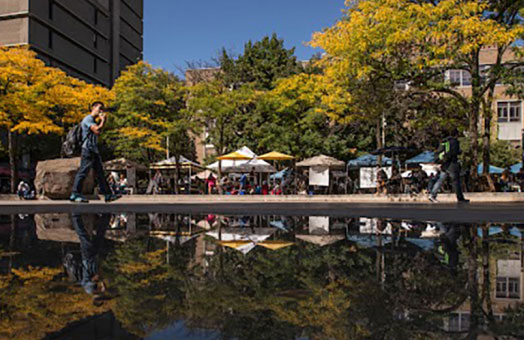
(479, 197)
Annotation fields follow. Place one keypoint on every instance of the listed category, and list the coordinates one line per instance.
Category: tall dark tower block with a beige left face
(93, 40)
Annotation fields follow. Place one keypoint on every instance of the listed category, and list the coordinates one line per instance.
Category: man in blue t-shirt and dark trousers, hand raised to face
(91, 156)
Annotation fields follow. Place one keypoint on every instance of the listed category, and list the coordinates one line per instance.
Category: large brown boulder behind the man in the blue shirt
(55, 178)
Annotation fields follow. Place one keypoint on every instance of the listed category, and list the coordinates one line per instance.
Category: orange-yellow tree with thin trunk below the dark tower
(39, 100)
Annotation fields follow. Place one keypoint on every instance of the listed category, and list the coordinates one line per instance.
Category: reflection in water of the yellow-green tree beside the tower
(150, 292)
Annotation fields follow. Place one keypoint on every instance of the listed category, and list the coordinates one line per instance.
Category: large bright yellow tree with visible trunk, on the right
(418, 41)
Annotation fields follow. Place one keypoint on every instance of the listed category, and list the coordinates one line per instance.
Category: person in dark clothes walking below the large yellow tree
(448, 154)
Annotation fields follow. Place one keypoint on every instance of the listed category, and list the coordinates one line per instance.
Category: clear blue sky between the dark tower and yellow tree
(177, 31)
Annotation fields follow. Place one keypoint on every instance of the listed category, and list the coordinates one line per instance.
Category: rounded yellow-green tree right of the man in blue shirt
(150, 106)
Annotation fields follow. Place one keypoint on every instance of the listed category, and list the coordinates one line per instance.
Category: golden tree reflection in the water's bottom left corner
(36, 301)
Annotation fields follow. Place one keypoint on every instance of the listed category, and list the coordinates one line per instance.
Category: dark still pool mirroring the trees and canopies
(165, 276)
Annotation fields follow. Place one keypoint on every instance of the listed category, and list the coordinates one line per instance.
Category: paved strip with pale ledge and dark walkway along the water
(504, 210)
